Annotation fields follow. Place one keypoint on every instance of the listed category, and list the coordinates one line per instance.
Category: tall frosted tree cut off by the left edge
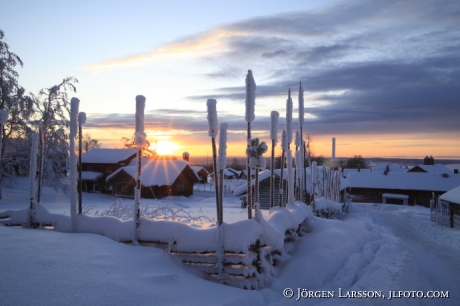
(20, 108)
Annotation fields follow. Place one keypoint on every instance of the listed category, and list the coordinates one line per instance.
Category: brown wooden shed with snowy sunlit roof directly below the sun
(159, 179)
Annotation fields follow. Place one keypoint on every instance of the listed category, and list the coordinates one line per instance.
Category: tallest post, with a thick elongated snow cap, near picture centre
(249, 117)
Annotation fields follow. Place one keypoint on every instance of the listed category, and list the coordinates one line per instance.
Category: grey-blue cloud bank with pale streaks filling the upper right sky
(366, 66)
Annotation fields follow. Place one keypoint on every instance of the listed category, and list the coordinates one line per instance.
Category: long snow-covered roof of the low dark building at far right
(402, 181)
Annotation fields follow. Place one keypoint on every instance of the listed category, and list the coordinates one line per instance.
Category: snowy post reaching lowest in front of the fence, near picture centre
(222, 164)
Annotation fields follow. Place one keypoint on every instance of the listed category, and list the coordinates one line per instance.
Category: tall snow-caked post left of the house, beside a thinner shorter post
(74, 103)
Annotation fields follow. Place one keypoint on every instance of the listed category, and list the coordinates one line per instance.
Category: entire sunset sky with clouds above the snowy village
(382, 77)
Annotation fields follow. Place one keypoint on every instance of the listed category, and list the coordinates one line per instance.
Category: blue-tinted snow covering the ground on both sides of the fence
(382, 248)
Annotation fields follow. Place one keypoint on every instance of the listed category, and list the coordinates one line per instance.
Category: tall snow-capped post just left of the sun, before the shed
(140, 143)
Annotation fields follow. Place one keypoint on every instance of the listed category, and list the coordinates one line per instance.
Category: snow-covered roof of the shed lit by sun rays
(155, 172)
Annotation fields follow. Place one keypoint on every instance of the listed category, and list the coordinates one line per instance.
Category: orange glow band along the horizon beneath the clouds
(199, 144)
